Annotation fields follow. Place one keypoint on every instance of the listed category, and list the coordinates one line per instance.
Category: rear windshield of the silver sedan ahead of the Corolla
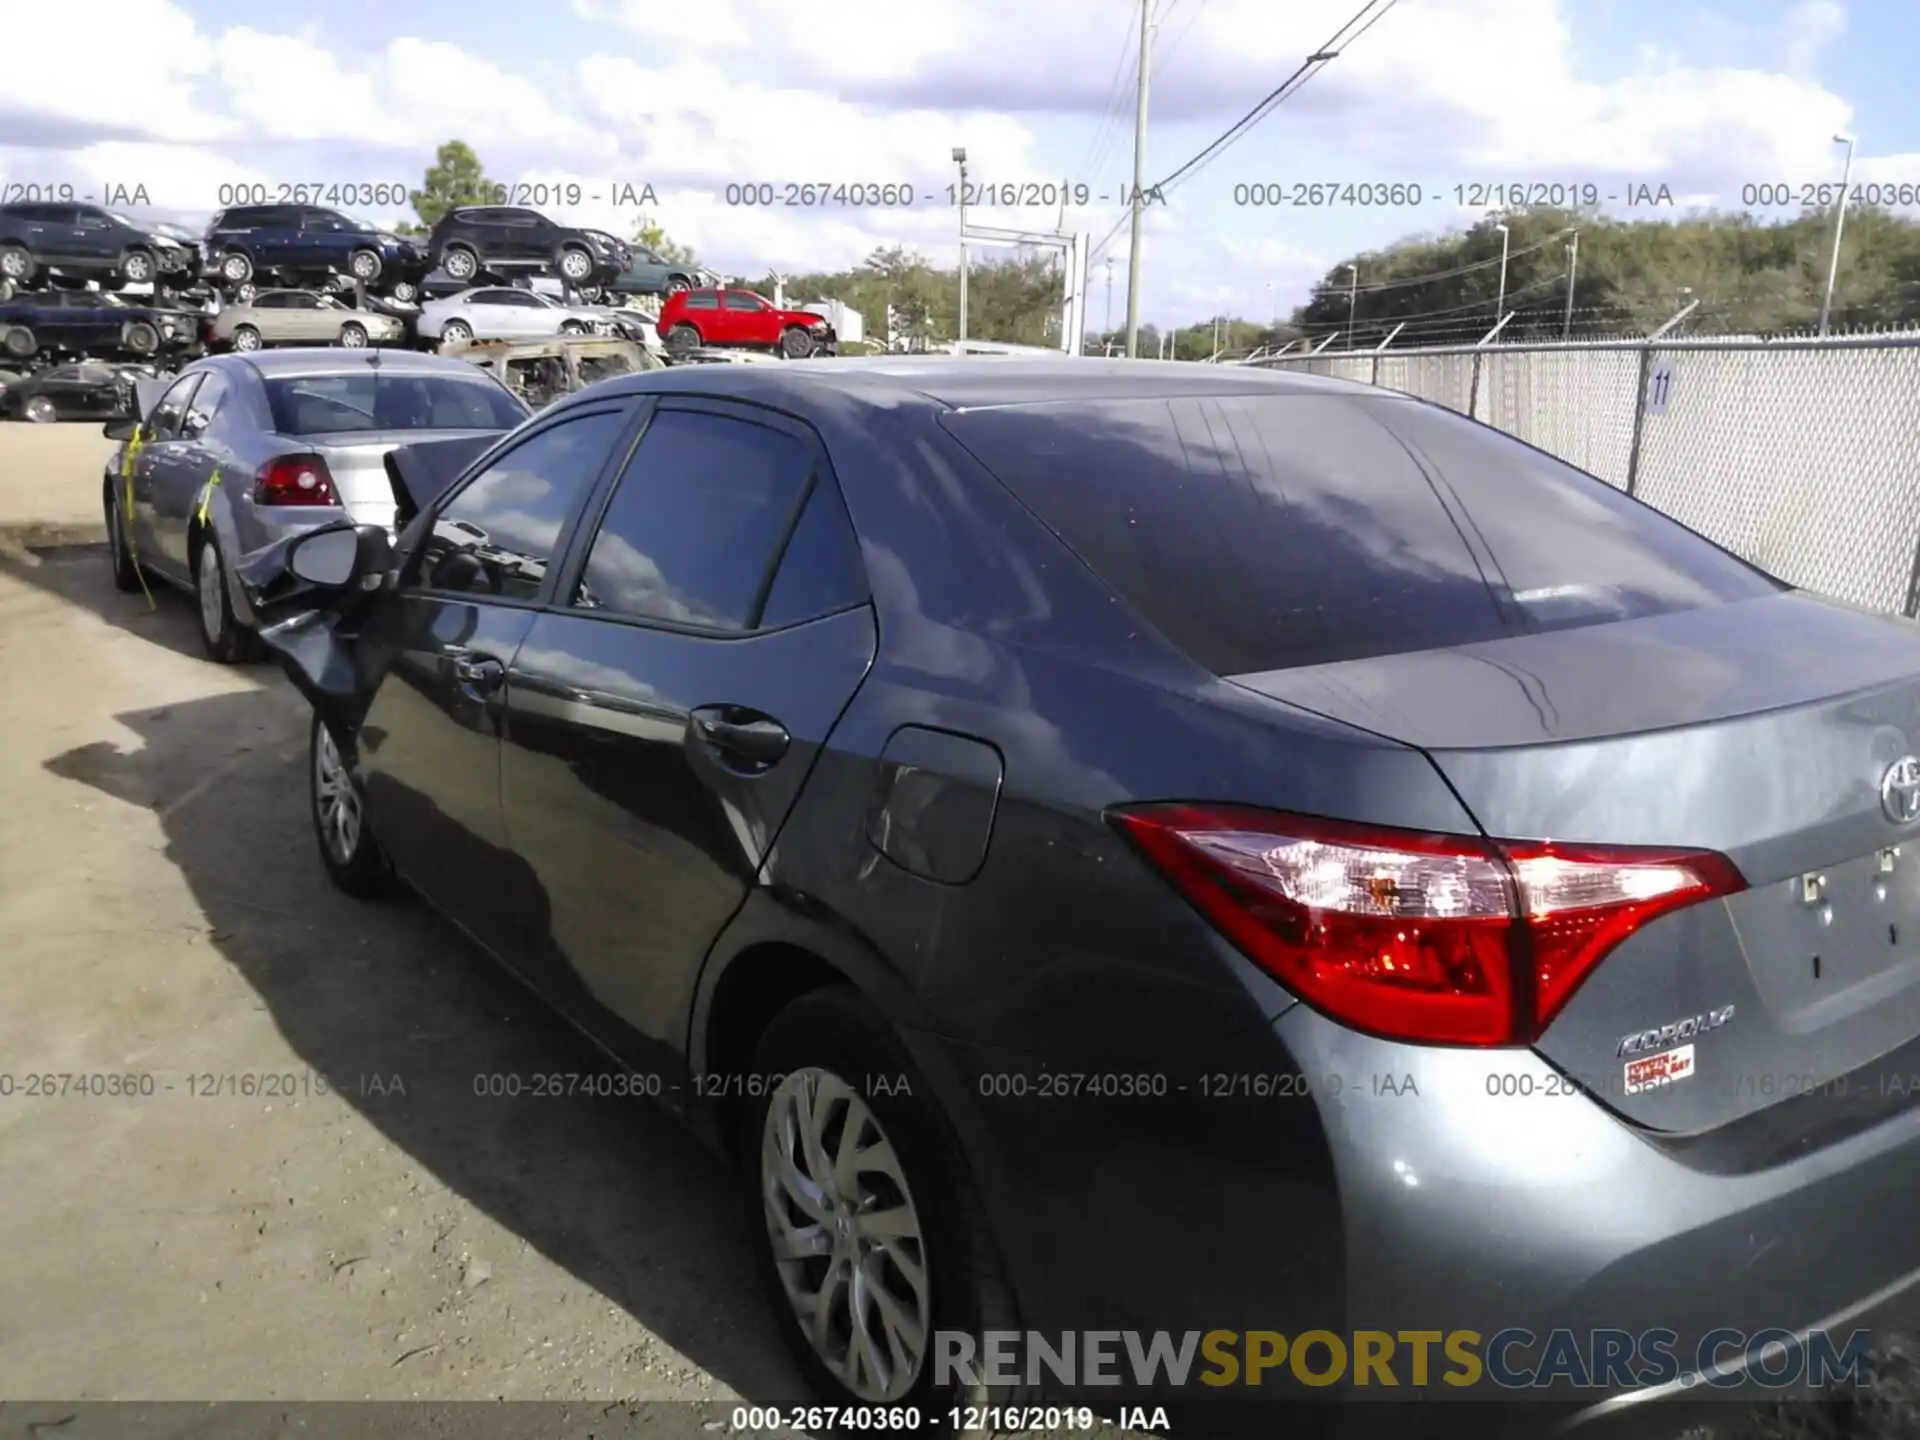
(368, 400)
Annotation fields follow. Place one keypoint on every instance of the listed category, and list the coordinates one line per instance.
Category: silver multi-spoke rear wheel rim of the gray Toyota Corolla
(846, 1236)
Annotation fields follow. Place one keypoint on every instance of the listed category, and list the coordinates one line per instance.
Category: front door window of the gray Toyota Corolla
(502, 531)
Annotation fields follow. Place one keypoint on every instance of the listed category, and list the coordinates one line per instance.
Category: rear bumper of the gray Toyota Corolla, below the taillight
(1422, 1189)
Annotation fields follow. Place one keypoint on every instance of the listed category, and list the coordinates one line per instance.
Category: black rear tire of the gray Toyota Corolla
(834, 1047)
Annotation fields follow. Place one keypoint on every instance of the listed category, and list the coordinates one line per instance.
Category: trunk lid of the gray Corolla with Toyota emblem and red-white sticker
(1765, 731)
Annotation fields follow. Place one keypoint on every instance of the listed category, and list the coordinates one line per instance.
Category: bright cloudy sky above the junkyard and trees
(1410, 130)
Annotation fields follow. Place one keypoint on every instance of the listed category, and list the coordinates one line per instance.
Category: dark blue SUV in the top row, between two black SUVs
(297, 243)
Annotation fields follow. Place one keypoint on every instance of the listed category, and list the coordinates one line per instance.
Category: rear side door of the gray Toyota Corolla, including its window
(667, 709)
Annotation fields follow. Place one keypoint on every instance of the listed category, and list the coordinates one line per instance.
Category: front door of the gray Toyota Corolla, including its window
(468, 594)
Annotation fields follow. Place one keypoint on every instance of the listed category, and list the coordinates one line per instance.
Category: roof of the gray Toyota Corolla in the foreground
(984, 381)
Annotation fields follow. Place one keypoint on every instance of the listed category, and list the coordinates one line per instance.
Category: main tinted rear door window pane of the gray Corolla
(696, 521)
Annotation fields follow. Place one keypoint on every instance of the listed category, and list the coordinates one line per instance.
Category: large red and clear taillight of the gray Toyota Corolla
(1443, 940)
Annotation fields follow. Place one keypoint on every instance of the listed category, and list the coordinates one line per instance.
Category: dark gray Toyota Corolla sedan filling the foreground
(1122, 848)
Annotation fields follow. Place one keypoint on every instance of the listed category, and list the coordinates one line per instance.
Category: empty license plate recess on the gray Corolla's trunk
(1827, 932)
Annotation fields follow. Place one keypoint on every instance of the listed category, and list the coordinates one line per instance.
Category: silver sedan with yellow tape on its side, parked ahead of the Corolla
(243, 450)
